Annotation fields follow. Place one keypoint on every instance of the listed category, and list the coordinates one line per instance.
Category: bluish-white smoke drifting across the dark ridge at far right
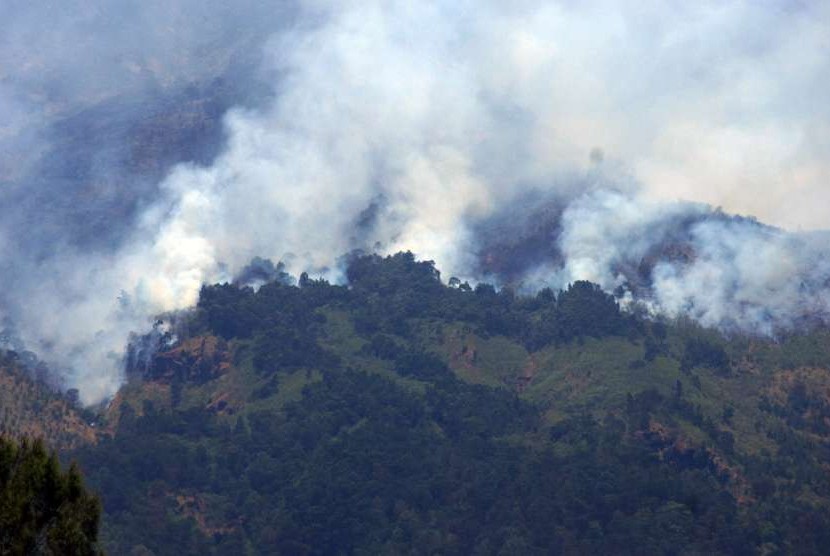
(682, 259)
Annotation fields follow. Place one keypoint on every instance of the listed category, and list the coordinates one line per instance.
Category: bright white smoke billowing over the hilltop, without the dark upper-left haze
(398, 125)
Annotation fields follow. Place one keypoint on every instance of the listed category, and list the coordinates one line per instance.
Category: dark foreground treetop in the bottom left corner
(43, 510)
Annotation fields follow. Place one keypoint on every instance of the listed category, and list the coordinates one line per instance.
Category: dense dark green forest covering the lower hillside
(361, 466)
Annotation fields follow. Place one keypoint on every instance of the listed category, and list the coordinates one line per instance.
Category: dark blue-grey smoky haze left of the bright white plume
(98, 100)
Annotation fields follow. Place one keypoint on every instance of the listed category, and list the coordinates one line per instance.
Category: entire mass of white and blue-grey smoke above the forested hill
(526, 142)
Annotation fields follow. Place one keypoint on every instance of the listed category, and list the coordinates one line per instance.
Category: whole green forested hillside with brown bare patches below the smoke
(397, 415)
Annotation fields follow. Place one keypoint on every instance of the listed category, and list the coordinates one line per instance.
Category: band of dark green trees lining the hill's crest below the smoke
(385, 294)
